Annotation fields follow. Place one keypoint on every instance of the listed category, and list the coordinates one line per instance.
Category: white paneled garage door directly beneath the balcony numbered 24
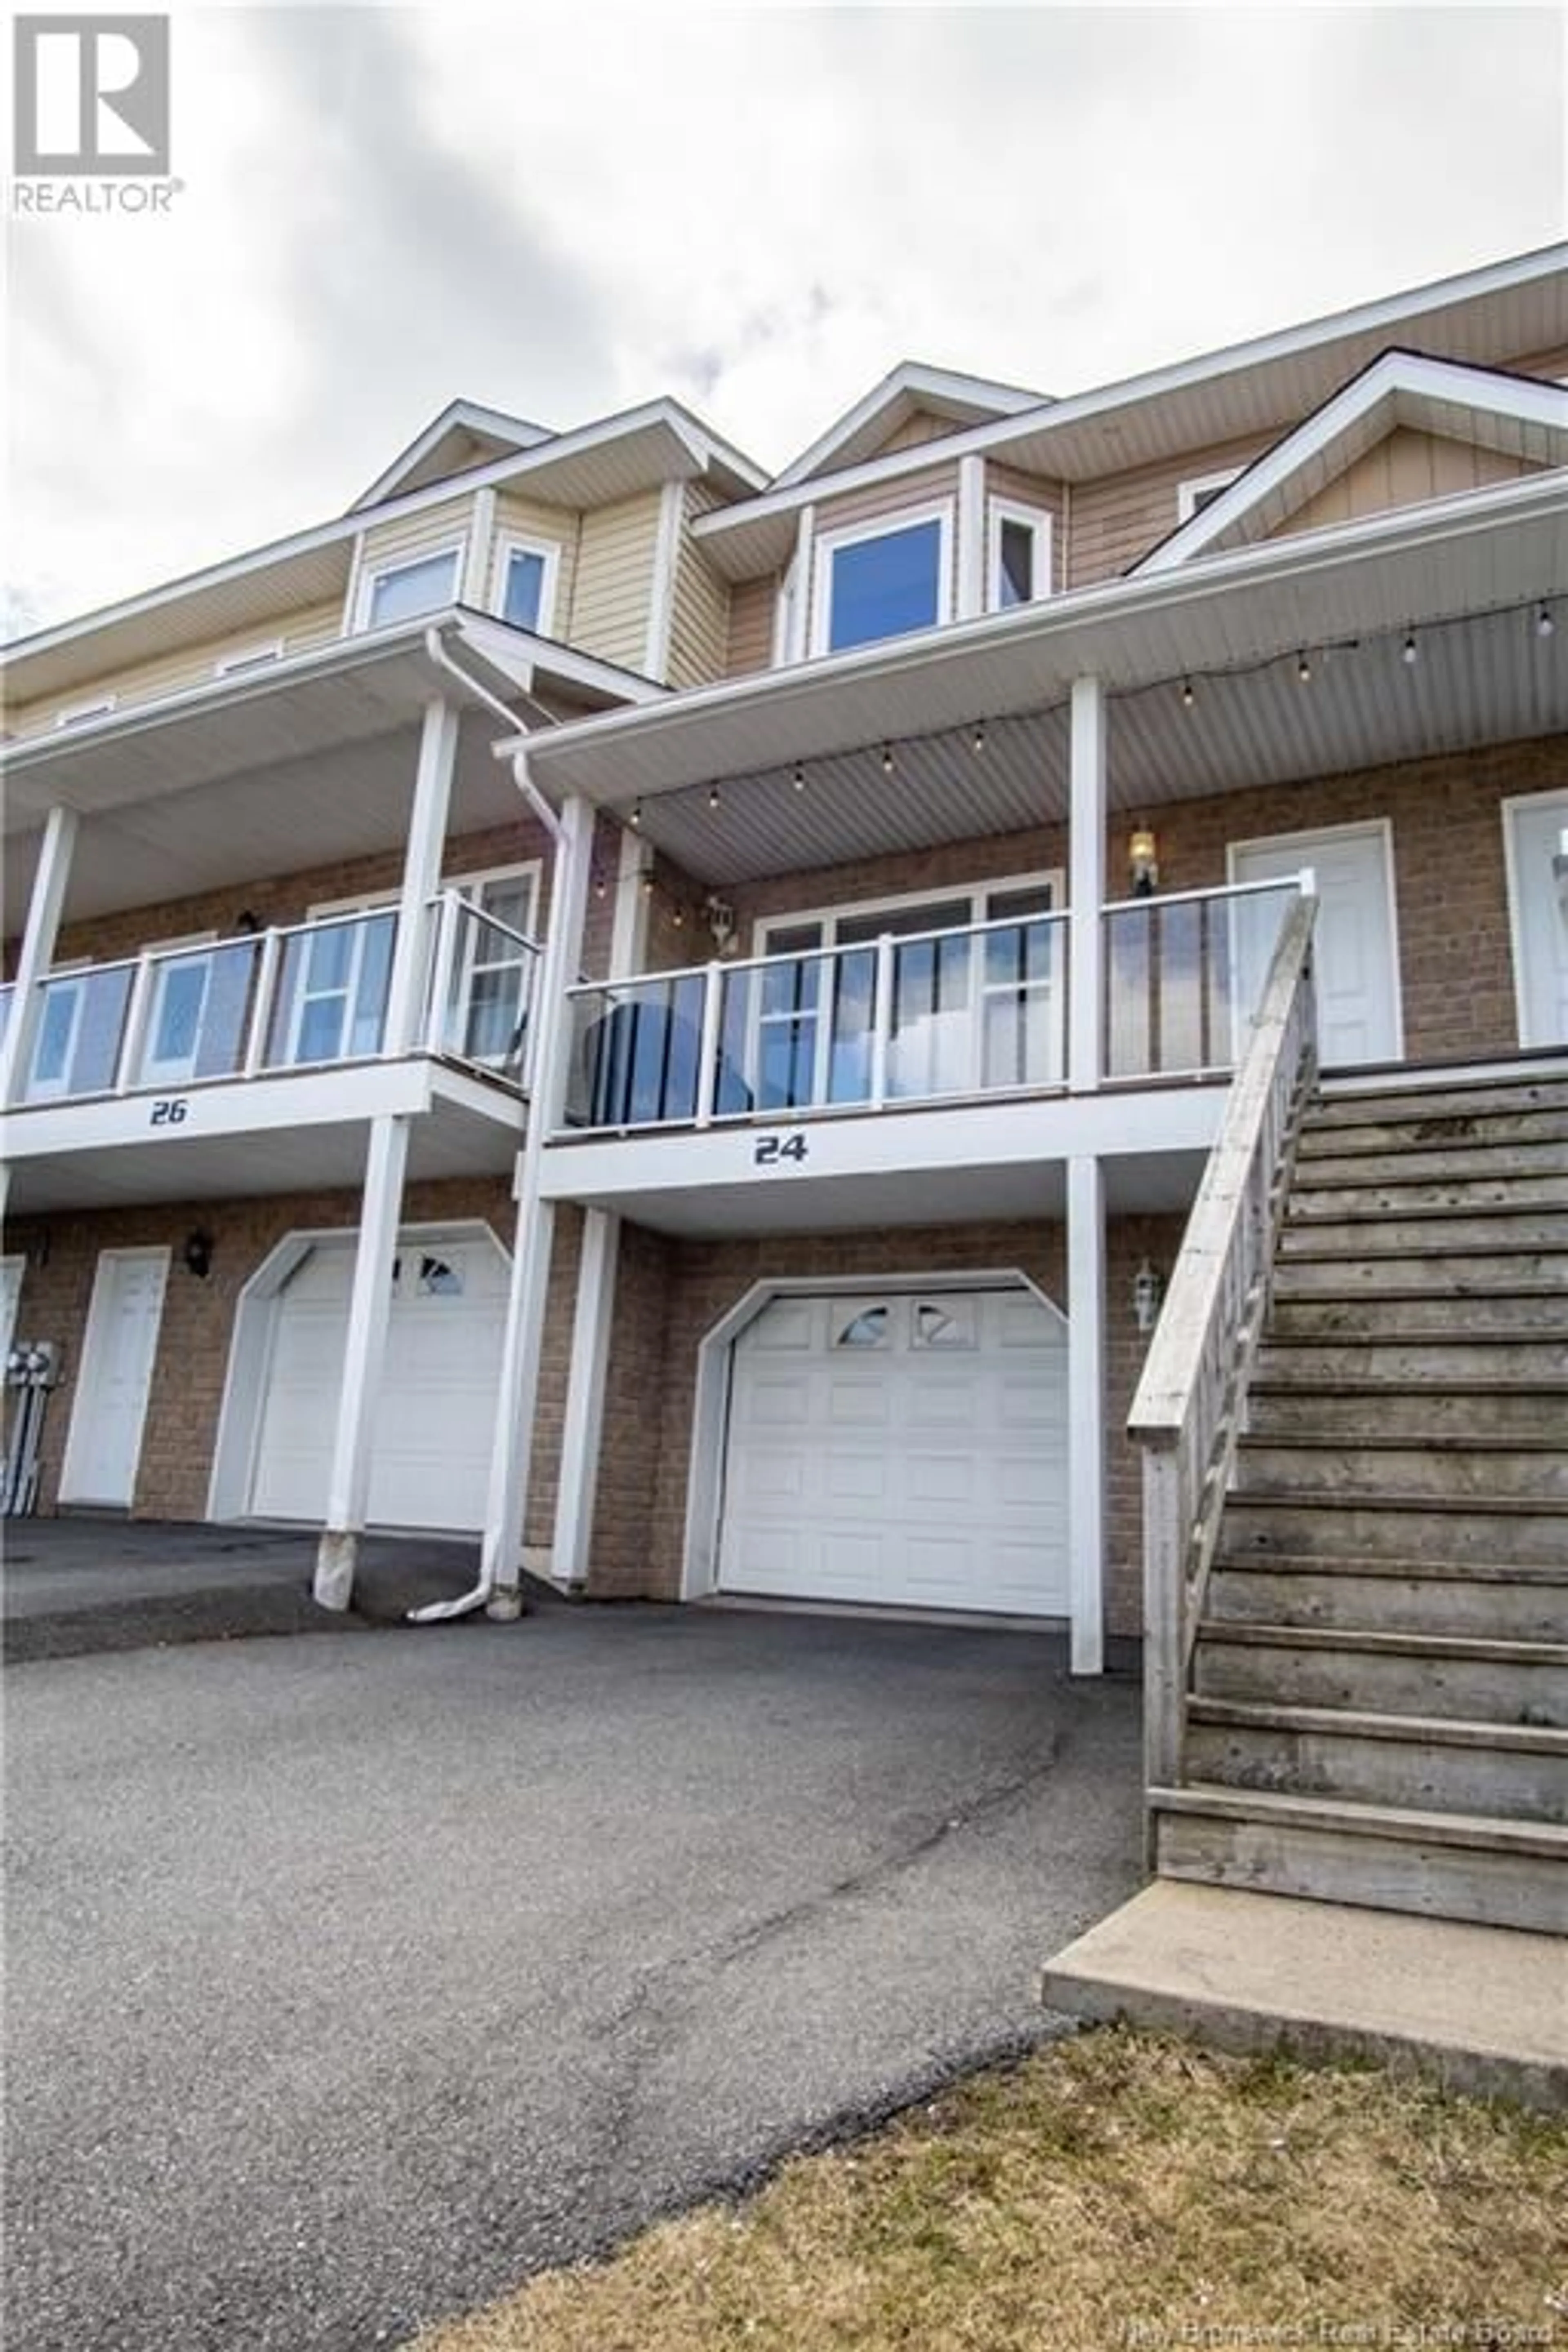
(904, 1448)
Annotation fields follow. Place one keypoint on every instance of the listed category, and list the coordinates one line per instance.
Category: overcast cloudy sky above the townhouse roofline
(751, 208)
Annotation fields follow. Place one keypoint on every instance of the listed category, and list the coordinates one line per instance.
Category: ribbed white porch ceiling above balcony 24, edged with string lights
(1482, 681)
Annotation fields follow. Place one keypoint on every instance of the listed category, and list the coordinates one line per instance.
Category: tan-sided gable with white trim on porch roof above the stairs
(1405, 432)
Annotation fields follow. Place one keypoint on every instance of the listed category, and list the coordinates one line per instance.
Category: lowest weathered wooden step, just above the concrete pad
(1449, 1866)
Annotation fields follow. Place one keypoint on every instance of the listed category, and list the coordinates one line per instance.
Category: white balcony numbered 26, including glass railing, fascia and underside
(253, 1064)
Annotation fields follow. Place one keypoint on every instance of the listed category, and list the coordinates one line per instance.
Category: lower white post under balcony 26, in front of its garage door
(370, 1307)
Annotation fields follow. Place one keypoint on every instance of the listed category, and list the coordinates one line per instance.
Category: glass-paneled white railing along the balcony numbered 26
(297, 998)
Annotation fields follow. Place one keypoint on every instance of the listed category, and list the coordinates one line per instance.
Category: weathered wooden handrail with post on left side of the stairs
(1193, 1394)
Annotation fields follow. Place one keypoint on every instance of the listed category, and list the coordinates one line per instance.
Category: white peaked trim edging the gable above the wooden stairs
(1400, 385)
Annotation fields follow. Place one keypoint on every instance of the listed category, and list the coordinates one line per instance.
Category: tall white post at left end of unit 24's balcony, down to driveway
(525, 1314)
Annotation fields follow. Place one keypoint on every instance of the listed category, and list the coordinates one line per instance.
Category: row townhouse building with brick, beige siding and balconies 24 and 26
(674, 1020)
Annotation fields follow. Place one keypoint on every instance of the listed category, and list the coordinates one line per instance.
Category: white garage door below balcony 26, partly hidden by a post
(438, 1401)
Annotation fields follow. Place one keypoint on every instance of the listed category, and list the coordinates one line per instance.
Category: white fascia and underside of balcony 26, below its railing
(300, 1132)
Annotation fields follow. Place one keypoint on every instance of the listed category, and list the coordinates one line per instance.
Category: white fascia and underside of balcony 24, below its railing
(897, 1168)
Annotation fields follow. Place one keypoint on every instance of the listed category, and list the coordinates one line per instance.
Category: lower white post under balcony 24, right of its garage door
(1087, 1415)
